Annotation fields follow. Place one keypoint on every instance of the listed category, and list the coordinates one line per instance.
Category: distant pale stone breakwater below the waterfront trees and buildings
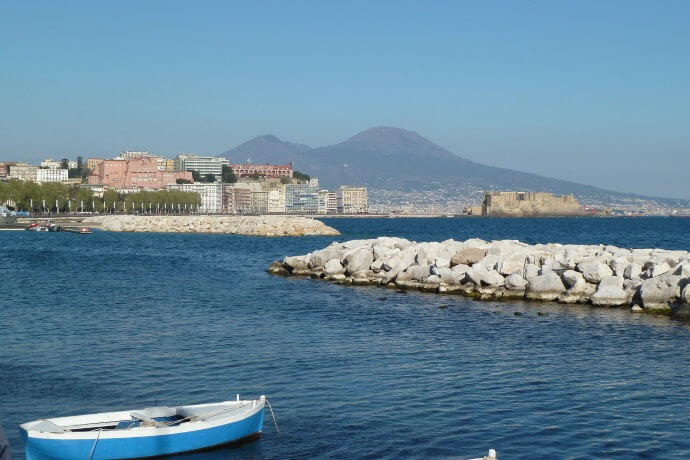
(243, 225)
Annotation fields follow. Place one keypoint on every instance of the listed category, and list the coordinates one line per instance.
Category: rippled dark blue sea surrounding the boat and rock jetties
(117, 321)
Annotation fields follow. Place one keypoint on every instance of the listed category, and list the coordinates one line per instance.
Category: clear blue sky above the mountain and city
(596, 92)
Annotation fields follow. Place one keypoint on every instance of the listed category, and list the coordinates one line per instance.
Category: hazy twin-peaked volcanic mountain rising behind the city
(397, 159)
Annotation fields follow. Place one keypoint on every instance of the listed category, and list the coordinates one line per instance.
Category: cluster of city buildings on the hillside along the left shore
(221, 187)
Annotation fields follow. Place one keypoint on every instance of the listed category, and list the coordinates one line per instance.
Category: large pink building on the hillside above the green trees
(140, 172)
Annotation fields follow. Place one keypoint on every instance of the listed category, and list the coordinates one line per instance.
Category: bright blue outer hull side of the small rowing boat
(144, 446)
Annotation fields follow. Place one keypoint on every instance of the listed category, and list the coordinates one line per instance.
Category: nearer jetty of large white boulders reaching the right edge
(650, 280)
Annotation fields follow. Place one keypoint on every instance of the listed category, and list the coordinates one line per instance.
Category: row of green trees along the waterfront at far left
(57, 197)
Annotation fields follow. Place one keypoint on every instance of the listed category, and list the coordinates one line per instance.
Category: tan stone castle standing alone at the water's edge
(519, 204)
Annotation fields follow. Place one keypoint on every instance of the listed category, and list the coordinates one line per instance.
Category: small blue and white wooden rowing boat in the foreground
(146, 432)
